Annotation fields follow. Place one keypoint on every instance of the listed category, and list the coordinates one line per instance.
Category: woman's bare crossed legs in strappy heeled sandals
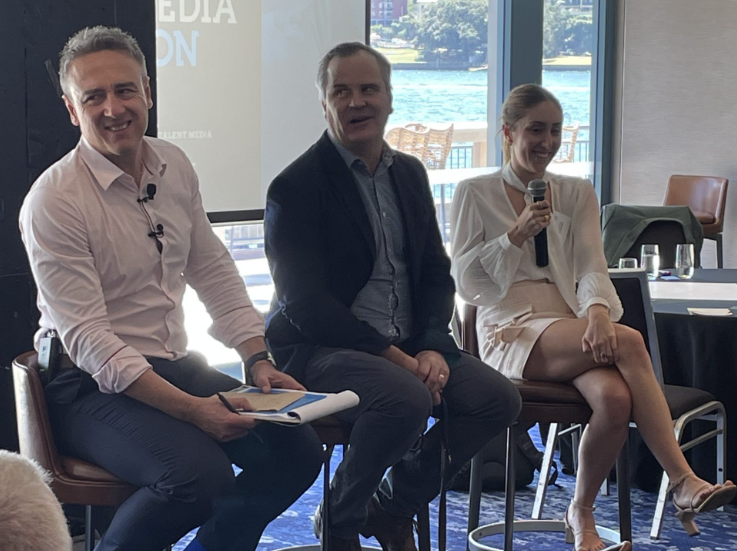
(613, 391)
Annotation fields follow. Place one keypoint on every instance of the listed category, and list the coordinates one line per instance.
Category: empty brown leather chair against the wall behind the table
(706, 196)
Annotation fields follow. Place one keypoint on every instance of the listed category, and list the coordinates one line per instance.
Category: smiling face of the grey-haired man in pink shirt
(110, 99)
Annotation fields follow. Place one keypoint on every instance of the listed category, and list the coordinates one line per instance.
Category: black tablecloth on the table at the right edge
(701, 352)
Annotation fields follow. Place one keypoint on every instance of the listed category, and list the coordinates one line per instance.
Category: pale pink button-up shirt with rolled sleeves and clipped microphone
(102, 283)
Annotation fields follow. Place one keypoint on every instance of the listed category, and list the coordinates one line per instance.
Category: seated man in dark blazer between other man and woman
(363, 302)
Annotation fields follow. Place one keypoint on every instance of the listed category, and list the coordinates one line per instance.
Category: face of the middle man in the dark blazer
(357, 103)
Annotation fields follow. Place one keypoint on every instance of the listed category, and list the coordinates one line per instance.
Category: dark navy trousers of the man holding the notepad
(185, 478)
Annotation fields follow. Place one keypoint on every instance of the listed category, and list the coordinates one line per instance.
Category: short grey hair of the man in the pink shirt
(96, 39)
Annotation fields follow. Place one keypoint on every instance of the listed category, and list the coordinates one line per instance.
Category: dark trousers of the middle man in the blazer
(389, 421)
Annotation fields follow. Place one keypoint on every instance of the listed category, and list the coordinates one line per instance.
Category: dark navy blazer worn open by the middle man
(321, 250)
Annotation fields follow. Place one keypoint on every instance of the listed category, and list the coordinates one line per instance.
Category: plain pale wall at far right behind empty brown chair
(678, 102)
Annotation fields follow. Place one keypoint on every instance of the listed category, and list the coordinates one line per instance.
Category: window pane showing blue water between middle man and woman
(444, 76)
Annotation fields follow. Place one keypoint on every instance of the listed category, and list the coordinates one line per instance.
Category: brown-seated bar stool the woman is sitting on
(551, 403)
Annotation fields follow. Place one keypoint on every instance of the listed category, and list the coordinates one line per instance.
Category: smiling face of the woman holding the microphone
(534, 140)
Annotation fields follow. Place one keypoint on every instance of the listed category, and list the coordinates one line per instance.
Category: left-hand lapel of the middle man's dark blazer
(345, 188)
